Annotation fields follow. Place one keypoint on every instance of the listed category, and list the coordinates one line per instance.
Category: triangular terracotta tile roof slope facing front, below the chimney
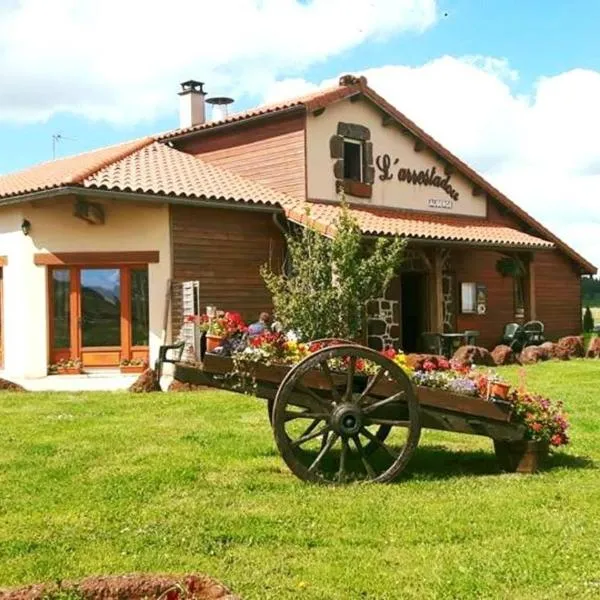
(159, 169)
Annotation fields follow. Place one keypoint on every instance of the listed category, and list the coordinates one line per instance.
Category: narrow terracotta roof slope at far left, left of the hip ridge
(65, 171)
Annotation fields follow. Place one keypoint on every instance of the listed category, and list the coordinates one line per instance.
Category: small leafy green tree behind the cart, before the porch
(329, 280)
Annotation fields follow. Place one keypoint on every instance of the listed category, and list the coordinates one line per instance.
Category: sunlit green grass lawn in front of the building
(111, 483)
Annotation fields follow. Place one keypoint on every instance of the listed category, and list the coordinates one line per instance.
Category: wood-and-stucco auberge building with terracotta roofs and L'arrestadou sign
(94, 247)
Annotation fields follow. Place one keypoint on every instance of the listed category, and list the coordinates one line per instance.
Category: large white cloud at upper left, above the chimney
(120, 60)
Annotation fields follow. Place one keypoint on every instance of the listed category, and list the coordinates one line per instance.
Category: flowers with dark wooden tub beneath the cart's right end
(545, 425)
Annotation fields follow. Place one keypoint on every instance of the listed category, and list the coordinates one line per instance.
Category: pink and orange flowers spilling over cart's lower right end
(545, 420)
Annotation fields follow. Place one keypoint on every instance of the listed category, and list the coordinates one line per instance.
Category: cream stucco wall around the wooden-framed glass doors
(128, 227)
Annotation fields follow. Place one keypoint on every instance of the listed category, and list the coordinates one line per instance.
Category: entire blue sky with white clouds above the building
(511, 87)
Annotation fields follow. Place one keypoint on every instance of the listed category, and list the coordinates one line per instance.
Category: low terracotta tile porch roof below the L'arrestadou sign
(373, 221)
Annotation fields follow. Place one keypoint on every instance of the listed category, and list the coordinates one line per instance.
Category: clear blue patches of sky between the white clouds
(537, 37)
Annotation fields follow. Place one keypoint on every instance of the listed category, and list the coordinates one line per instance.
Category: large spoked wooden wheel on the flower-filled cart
(327, 413)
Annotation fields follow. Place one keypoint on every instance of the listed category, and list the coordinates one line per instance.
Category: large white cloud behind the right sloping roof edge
(540, 149)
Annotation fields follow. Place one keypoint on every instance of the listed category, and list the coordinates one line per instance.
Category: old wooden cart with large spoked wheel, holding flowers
(334, 424)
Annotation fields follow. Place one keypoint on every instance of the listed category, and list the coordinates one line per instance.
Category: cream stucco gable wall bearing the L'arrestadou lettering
(386, 140)
